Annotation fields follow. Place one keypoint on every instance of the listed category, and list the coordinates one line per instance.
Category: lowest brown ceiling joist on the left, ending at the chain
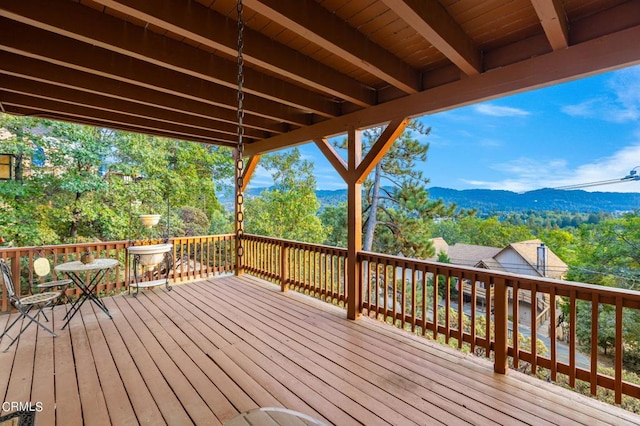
(108, 119)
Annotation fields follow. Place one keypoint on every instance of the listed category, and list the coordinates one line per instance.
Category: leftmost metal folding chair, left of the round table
(25, 305)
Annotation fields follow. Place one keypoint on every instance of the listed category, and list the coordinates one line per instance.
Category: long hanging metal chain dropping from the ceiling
(240, 146)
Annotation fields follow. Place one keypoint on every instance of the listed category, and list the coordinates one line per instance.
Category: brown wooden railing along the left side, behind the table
(194, 258)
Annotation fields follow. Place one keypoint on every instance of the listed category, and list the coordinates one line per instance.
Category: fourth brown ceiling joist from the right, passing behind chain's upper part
(196, 22)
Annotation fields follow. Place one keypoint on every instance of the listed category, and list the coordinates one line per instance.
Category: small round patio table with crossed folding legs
(77, 270)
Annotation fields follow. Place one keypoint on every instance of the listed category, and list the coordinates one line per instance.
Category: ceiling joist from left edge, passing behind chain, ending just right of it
(45, 72)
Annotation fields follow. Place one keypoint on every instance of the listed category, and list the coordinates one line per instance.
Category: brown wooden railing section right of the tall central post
(424, 297)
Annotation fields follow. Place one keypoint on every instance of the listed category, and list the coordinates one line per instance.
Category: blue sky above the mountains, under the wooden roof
(578, 132)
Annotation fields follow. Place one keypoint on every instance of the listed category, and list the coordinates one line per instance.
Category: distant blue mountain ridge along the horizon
(487, 201)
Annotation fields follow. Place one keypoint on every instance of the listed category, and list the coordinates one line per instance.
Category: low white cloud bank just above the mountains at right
(528, 174)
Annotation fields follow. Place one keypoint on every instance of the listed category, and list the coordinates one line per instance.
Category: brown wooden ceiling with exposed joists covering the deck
(313, 68)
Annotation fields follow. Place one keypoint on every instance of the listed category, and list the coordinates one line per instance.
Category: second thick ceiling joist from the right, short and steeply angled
(431, 20)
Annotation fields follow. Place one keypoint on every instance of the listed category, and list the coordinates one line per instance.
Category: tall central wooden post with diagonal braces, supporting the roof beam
(354, 226)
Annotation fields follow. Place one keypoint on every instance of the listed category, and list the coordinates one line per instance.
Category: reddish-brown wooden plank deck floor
(207, 351)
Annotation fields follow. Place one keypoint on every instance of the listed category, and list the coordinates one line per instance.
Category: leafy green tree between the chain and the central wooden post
(289, 209)
